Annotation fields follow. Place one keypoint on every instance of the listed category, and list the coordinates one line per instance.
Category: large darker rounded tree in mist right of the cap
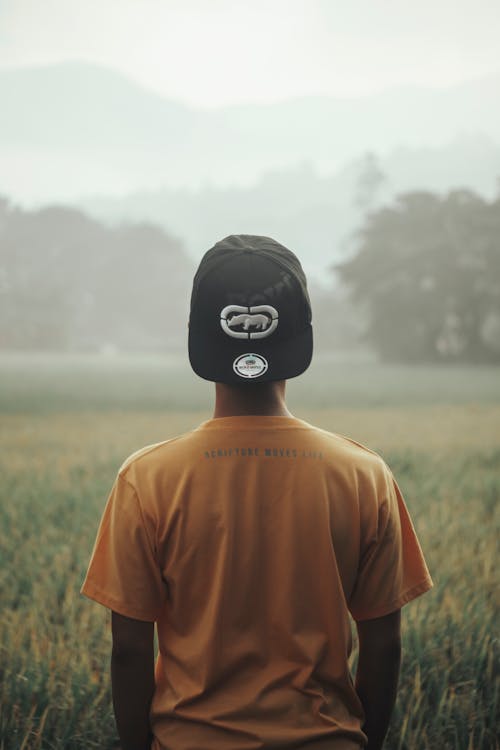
(427, 272)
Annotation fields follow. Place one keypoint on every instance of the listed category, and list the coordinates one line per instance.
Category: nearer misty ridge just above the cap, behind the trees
(316, 215)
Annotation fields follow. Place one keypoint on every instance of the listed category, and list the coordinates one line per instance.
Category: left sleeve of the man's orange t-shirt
(123, 573)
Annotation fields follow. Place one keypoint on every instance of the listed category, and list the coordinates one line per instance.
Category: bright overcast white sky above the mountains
(213, 52)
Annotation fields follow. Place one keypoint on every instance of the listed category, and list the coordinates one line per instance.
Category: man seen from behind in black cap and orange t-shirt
(249, 541)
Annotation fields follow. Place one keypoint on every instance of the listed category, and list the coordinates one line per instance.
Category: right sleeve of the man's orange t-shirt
(392, 569)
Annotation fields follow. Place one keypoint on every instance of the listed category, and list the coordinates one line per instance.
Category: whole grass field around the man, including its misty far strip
(68, 423)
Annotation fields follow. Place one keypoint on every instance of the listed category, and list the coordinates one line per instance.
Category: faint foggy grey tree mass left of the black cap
(70, 282)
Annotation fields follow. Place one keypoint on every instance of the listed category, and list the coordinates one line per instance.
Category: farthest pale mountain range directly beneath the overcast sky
(74, 129)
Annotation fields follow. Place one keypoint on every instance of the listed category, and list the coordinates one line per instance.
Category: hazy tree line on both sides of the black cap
(421, 283)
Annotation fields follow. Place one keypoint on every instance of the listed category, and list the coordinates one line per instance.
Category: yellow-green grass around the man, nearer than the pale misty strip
(57, 469)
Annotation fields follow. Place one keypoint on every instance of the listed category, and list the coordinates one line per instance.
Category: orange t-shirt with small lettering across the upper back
(249, 541)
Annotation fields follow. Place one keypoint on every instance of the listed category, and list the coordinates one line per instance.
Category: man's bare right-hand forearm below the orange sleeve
(377, 673)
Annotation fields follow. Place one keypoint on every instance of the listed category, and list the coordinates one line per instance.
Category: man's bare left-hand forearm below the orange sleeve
(132, 679)
